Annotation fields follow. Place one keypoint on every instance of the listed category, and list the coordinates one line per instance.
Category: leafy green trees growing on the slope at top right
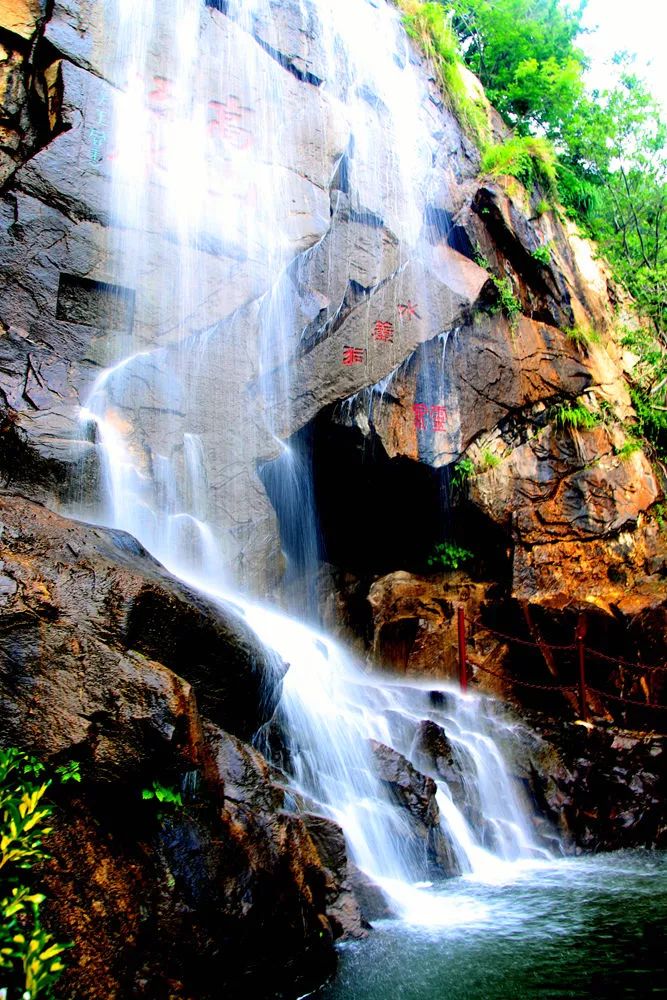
(611, 169)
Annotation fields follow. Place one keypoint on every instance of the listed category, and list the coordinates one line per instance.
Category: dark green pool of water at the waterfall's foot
(586, 927)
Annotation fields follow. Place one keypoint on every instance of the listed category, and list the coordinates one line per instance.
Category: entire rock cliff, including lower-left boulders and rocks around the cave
(392, 364)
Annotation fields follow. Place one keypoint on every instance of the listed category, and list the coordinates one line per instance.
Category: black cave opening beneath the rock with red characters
(374, 514)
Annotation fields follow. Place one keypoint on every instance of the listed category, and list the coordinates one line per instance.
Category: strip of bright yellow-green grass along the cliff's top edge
(430, 26)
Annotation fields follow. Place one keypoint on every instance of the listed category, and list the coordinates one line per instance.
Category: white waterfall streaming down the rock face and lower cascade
(205, 230)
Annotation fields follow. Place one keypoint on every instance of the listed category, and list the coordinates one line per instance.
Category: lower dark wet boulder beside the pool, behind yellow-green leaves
(214, 895)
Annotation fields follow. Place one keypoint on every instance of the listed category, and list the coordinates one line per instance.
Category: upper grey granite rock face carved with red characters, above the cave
(410, 347)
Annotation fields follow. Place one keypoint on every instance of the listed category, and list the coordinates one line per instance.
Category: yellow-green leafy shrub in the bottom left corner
(30, 960)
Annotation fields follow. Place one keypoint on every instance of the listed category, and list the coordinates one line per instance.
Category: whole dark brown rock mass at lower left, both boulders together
(107, 660)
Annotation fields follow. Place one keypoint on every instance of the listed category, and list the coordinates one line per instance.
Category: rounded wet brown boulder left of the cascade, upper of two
(101, 646)
